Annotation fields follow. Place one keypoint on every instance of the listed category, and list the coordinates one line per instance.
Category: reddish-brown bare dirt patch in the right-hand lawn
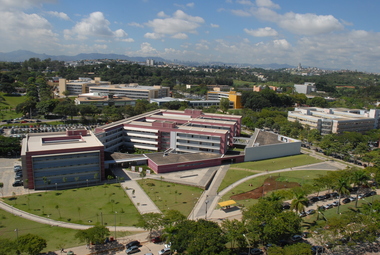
(270, 184)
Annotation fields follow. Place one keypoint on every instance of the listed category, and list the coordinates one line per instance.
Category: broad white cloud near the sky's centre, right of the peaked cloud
(179, 23)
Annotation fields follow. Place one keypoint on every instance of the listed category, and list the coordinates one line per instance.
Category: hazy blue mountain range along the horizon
(22, 55)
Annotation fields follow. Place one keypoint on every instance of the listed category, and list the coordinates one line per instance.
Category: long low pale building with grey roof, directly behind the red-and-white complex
(133, 91)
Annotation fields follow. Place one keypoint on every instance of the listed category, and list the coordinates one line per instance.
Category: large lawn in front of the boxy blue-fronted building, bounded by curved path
(83, 205)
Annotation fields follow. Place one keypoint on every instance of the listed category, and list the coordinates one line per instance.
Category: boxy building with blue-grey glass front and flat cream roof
(59, 160)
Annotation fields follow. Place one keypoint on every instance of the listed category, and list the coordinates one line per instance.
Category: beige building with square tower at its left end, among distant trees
(80, 86)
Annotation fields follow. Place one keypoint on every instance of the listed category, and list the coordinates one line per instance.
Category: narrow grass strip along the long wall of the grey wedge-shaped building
(277, 163)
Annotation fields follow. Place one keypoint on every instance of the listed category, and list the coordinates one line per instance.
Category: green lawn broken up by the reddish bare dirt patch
(291, 176)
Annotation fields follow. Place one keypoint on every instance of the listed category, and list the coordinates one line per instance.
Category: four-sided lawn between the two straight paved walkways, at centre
(169, 196)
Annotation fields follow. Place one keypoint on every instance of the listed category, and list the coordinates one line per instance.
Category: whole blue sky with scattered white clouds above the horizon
(339, 34)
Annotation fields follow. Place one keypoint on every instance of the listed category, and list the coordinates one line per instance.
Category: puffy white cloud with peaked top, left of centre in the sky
(96, 25)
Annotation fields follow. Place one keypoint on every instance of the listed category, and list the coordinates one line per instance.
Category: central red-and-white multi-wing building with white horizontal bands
(180, 131)
